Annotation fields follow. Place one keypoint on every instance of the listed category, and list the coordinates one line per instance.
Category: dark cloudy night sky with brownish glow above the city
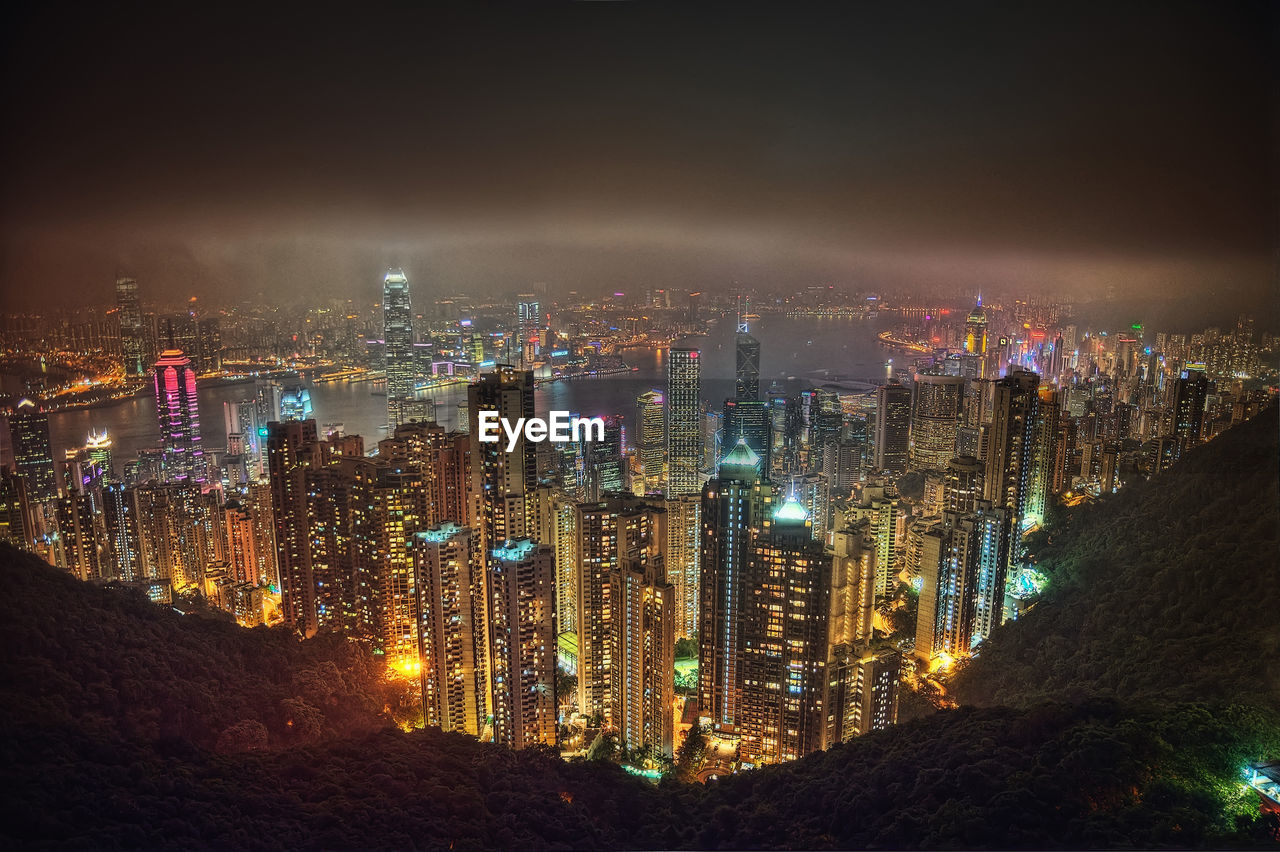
(300, 150)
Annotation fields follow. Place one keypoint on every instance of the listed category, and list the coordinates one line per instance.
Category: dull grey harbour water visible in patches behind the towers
(793, 351)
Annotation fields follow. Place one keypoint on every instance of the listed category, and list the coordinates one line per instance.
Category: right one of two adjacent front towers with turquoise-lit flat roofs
(523, 644)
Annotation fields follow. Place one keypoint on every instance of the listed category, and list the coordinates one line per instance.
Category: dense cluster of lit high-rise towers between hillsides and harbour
(775, 533)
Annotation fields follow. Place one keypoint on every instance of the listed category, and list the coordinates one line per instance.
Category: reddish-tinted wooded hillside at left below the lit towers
(115, 666)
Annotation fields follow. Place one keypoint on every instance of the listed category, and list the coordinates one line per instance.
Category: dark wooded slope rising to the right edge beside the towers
(1168, 590)
